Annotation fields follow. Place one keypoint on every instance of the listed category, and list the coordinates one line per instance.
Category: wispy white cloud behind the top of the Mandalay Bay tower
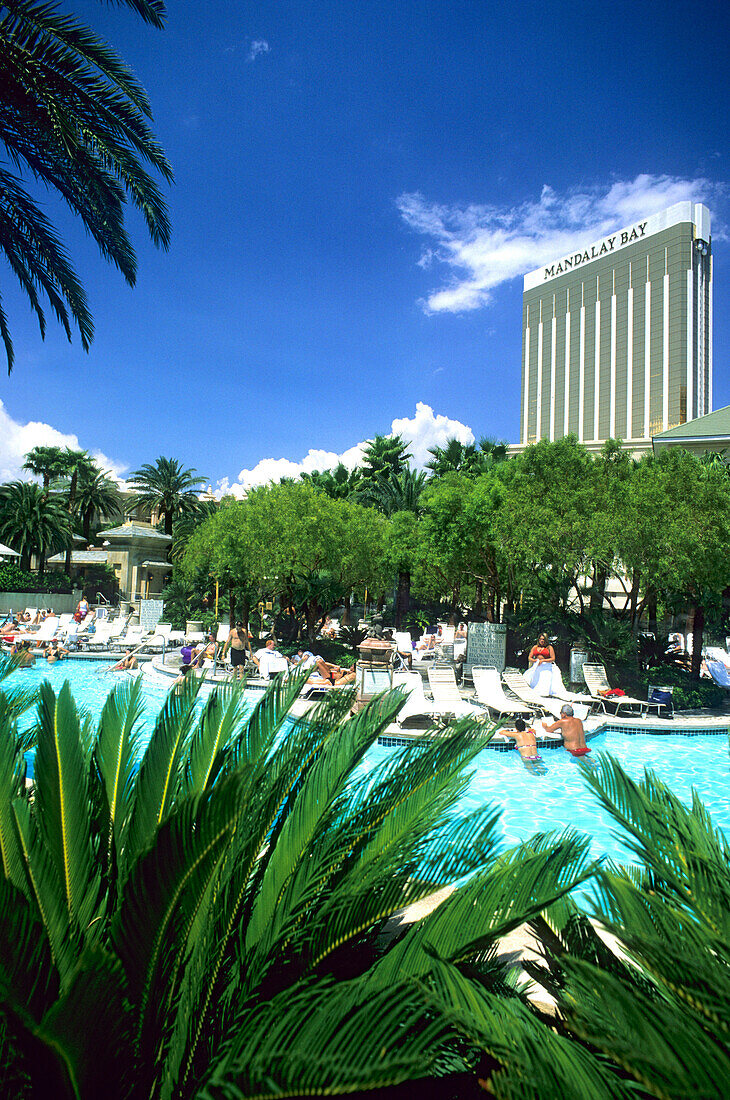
(486, 246)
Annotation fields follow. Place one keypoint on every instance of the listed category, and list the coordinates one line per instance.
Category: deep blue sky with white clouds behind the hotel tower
(359, 188)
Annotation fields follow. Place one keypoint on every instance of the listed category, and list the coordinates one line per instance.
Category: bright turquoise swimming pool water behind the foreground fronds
(529, 804)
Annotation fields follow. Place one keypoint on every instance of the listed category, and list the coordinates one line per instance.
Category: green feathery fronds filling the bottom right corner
(654, 996)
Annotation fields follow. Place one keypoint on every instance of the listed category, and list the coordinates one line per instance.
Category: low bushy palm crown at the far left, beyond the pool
(31, 523)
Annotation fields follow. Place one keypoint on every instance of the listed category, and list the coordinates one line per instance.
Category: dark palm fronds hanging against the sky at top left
(74, 117)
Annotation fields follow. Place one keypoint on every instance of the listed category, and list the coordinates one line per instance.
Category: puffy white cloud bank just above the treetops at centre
(422, 433)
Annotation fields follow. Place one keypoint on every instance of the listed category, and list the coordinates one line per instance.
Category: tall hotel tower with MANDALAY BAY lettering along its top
(617, 337)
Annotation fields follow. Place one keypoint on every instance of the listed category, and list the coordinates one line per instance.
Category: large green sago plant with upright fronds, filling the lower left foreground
(209, 915)
